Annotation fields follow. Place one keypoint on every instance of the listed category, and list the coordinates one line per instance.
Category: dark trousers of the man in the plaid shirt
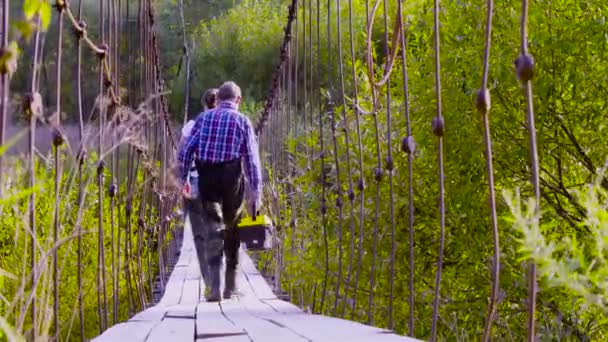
(221, 189)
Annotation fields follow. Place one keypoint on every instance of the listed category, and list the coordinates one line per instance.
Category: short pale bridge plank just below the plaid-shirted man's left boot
(211, 322)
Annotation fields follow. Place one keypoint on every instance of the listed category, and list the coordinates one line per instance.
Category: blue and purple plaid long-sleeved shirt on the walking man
(223, 134)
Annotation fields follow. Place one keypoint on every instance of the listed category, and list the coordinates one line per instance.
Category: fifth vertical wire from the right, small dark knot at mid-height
(378, 171)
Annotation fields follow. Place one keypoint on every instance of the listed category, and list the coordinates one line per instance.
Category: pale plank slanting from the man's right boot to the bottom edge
(257, 327)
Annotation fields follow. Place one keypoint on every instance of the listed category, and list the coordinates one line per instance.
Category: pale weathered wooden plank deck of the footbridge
(254, 314)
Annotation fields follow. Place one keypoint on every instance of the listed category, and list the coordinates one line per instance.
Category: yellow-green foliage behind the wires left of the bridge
(77, 219)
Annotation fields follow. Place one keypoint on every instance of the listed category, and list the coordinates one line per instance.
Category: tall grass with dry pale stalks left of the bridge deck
(125, 151)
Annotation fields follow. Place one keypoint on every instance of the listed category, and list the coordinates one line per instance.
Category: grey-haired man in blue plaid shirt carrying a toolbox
(223, 145)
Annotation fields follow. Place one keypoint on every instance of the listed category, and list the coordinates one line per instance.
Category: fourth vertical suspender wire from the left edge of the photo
(80, 161)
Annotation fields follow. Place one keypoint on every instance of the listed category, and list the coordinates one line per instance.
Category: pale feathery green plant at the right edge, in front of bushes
(577, 265)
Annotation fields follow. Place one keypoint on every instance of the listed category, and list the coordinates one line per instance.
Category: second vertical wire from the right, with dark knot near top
(483, 106)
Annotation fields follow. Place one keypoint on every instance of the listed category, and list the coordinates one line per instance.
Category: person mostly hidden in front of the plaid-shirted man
(193, 205)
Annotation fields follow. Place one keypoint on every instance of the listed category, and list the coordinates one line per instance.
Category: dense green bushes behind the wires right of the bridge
(567, 40)
